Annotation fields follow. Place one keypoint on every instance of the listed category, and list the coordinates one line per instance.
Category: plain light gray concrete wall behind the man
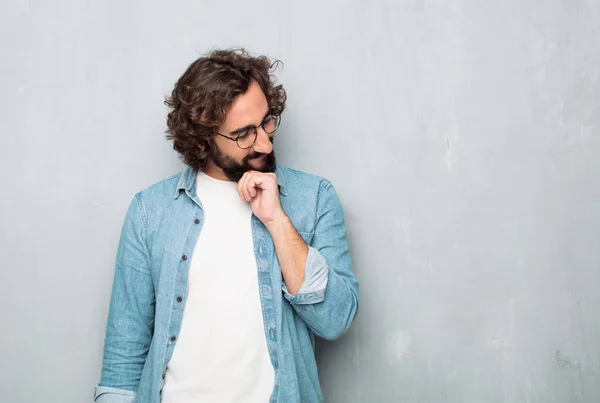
(463, 138)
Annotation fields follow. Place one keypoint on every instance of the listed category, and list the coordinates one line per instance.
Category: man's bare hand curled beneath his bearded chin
(261, 190)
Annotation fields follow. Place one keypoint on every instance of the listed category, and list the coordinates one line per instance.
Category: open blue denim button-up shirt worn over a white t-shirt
(149, 289)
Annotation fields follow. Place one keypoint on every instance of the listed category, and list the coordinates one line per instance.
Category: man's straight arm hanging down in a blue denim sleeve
(131, 314)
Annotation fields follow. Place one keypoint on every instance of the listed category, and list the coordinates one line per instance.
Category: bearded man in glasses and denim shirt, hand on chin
(225, 272)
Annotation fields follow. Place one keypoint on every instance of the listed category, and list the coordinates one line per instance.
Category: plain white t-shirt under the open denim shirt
(221, 352)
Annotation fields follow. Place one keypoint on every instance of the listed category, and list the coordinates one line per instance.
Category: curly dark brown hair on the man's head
(206, 90)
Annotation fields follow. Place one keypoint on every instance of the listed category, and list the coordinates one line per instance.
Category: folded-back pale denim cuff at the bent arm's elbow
(316, 272)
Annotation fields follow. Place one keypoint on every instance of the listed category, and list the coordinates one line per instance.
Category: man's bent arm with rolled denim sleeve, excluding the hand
(318, 279)
